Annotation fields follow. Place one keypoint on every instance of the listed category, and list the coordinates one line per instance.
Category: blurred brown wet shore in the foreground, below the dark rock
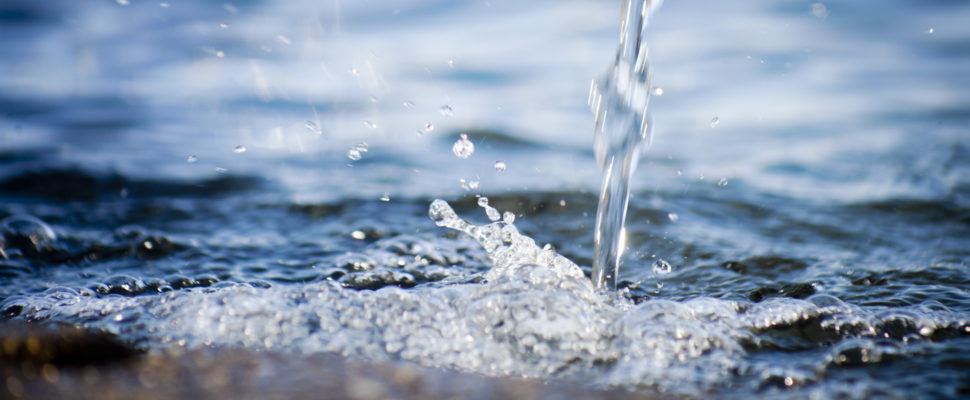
(241, 374)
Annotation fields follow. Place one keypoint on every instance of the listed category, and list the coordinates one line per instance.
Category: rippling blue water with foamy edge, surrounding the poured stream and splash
(817, 233)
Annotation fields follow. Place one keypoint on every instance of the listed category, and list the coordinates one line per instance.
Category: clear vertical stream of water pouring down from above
(620, 99)
